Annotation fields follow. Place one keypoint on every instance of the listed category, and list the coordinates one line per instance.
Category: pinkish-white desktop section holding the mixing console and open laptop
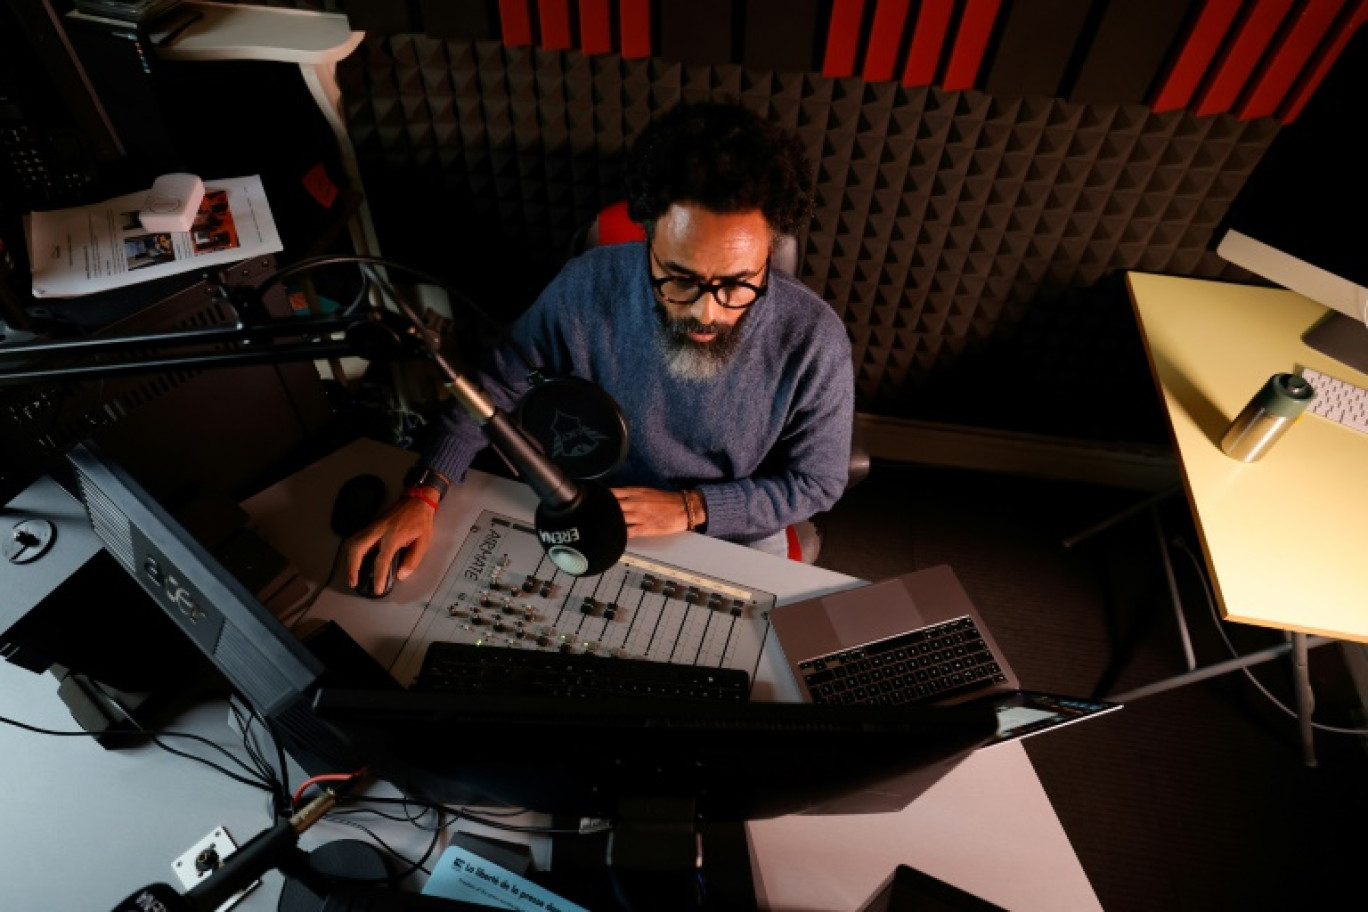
(987, 828)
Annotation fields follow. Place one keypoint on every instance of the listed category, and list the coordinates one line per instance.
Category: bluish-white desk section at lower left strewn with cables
(83, 828)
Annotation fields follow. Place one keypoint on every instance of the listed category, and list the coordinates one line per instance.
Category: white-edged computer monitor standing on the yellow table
(1302, 218)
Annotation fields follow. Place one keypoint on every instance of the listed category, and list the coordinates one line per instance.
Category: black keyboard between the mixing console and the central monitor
(463, 668)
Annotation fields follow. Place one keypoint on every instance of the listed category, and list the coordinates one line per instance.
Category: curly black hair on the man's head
(723, 158)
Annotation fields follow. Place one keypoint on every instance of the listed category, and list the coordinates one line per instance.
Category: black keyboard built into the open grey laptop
(934, 664)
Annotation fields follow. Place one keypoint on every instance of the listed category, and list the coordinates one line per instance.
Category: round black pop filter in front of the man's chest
(578, 426)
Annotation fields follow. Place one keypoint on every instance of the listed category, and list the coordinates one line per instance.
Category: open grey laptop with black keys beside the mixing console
(915, 639)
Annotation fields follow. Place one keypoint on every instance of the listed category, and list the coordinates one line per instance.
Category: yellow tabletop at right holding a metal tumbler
(1284, 537)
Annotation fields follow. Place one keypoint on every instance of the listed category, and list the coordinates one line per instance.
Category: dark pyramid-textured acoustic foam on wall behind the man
(973, 245)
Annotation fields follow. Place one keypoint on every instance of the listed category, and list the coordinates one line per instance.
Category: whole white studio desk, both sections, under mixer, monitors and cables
(987, 828)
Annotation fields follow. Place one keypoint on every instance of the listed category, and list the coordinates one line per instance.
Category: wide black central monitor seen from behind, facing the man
(583, 758)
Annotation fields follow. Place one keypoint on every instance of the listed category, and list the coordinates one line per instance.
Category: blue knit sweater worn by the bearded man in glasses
(767, 441)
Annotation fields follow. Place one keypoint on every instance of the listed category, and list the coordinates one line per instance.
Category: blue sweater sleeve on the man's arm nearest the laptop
(809, 467)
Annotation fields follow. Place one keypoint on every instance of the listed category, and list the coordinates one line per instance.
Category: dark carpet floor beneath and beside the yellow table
(1192, 799)
